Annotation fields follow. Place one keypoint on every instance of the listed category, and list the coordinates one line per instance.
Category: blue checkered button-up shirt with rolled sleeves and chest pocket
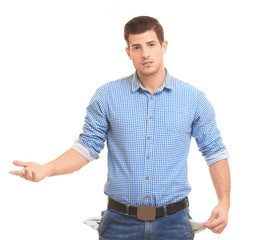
(148, 138)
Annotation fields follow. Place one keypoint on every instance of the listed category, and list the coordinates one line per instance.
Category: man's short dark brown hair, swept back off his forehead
(142, 24)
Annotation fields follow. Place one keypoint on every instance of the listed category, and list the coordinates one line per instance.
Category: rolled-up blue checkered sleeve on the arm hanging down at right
(206, 133)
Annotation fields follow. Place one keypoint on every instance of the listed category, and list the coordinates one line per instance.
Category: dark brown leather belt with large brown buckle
(148, 213)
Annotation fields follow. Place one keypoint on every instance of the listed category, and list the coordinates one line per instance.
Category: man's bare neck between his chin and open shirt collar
(152, 82)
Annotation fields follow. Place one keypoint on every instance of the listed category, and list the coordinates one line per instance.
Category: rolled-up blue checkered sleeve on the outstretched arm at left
(92, 140)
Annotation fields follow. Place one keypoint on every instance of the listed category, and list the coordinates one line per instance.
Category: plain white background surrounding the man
(53, 56)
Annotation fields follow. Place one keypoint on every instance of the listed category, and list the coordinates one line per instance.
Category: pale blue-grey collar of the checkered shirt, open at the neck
(136, 83)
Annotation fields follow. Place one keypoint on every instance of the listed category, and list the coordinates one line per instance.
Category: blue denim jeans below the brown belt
(119, 226)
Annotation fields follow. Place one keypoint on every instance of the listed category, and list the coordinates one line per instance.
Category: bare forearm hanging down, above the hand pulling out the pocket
(220, 174)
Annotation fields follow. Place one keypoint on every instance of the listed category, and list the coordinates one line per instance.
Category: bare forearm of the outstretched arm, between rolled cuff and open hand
(68, 162)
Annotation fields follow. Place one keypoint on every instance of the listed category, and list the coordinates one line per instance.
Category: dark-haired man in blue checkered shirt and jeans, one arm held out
(148, 120)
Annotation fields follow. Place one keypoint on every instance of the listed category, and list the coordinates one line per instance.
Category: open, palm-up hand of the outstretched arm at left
(31, 171)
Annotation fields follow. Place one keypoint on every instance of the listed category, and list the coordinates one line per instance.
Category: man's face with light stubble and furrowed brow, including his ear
(146, 52)
